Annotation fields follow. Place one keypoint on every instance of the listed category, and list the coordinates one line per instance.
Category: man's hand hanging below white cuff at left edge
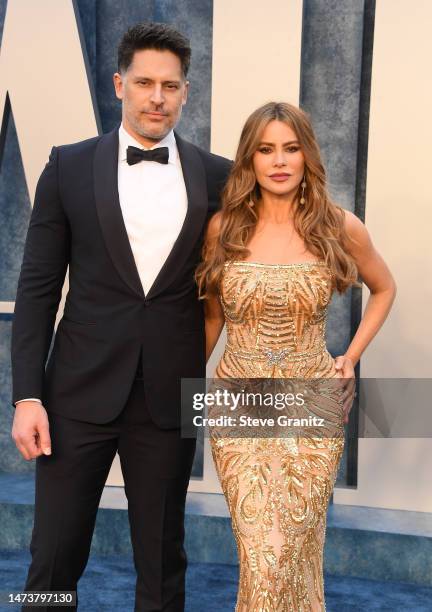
(30, 430)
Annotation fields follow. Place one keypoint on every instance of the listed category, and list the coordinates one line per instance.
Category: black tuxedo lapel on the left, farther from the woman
(109, 210)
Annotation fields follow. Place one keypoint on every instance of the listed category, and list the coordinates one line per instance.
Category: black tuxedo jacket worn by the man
(108, 321)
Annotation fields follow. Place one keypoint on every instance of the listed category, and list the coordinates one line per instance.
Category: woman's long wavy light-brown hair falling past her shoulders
(319, 222)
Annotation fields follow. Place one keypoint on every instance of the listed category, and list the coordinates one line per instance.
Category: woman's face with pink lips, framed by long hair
(279, 161)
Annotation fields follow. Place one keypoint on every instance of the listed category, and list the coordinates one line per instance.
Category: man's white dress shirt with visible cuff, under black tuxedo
(153, 202)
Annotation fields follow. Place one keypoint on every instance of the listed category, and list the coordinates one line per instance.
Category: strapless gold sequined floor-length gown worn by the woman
(278, 489)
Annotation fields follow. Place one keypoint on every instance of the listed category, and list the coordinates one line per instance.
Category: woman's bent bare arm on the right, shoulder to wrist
(379, 280)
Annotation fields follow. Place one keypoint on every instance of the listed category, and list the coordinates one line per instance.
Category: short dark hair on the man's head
(150, 35)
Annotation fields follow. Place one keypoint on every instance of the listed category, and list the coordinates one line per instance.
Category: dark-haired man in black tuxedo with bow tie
(129, 223)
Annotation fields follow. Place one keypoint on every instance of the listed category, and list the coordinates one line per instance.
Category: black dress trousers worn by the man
(156, 466)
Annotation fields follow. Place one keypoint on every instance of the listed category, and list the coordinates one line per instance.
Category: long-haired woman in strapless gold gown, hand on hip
(272, 258)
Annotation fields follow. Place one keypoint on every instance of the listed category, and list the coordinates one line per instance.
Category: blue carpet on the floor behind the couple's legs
(109, 581)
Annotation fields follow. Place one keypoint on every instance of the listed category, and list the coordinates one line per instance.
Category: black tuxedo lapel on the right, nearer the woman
(196, 189)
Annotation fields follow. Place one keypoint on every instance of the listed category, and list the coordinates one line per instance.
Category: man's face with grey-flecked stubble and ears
(153, 92)
